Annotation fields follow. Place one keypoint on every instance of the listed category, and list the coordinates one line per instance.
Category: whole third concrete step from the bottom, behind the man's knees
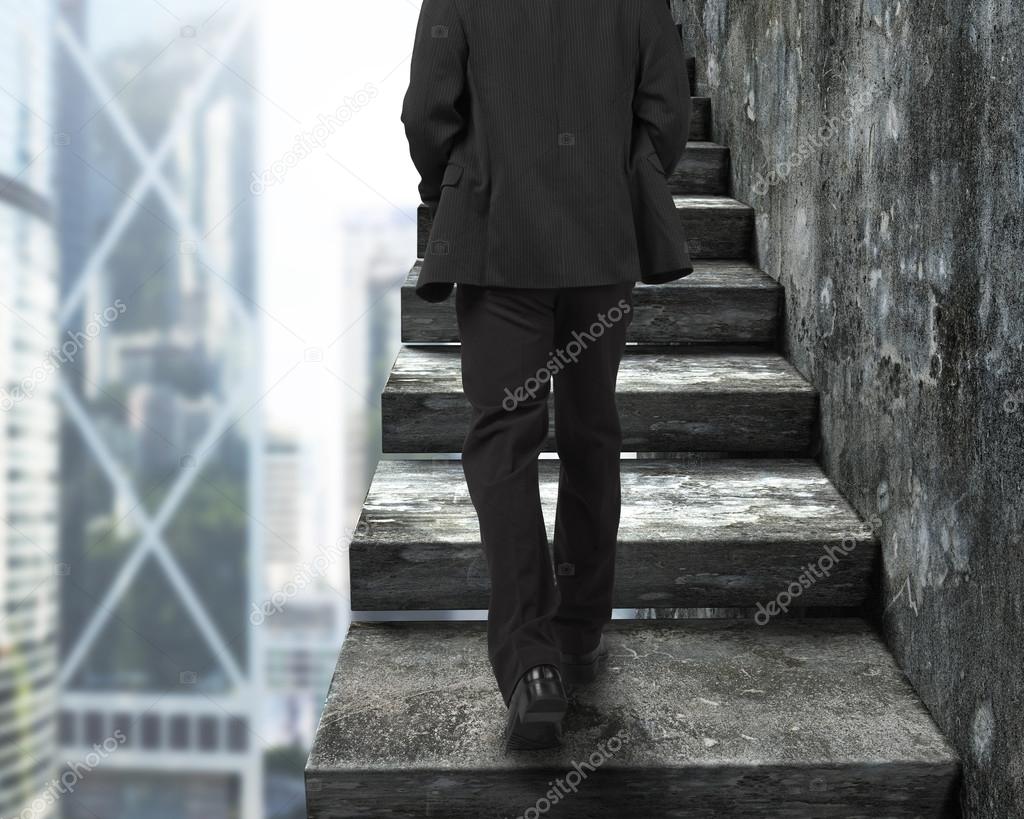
(670, 400)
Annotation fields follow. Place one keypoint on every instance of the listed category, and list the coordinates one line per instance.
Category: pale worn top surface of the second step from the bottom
(718, 503)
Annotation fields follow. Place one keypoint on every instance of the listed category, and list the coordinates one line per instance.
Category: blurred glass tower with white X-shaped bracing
(161, 454)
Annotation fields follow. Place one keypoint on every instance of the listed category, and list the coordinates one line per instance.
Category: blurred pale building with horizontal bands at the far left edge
(30, 568)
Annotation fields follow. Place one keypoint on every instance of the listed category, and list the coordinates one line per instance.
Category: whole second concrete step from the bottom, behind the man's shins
(718, 534)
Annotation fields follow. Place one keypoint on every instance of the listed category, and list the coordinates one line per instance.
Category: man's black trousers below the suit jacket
(515, 342)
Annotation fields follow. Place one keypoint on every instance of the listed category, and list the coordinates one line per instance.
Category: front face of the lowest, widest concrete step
(696, 793)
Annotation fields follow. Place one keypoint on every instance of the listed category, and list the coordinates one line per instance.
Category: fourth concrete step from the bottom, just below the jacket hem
(721, 303)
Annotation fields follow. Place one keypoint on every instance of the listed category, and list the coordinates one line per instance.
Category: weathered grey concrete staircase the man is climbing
(763, 713)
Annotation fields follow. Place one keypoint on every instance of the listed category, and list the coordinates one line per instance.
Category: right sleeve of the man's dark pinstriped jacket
(662, 101)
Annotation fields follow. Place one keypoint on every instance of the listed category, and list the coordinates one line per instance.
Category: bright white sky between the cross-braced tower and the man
(316, 54)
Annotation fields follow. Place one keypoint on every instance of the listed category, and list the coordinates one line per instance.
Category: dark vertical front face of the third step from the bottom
(651, 422)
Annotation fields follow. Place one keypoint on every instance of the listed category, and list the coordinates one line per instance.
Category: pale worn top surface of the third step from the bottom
(712, 370)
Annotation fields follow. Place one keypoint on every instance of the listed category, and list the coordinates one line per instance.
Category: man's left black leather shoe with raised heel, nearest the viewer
(535, 719)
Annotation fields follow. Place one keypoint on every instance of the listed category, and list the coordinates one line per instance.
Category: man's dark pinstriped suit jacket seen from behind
(543, 132)
